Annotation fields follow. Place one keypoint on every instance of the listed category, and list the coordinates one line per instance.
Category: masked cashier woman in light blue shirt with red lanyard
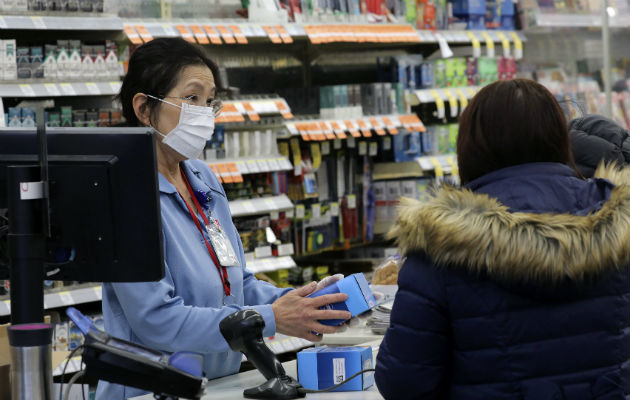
(171, 87)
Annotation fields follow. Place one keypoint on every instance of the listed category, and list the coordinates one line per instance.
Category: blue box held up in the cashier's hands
(360, 297)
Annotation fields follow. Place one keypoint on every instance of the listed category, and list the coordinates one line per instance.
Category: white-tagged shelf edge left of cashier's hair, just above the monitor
(50, 89)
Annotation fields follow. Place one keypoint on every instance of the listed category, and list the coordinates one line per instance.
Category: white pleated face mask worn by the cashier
(194, 129)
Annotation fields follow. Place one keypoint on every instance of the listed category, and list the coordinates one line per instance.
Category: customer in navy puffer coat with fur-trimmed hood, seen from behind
(518, 285)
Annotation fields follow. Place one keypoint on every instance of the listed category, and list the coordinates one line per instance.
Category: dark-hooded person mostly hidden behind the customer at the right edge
(595, 138)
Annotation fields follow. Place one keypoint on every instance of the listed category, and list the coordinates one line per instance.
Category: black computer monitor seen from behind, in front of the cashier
(103, 198)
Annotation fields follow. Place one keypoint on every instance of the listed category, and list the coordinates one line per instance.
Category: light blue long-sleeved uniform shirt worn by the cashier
(182, 311)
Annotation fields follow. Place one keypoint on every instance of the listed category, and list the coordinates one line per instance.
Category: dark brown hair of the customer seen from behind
(510, 123)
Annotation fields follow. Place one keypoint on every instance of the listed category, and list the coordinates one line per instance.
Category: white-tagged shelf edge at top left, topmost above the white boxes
(78, 23)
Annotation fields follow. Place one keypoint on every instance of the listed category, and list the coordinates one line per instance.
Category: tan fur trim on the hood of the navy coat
(461, 229)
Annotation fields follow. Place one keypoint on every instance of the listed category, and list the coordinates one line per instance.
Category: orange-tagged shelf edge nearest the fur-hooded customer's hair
(327, 129)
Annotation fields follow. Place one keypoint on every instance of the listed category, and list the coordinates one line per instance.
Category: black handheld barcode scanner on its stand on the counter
(242, 331)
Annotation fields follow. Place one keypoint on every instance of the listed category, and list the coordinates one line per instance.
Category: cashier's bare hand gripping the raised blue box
(298, 315)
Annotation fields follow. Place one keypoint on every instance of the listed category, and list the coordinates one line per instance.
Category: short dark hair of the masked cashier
(154, 68)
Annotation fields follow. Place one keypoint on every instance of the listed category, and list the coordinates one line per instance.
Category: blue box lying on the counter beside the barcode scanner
(322, 367)
